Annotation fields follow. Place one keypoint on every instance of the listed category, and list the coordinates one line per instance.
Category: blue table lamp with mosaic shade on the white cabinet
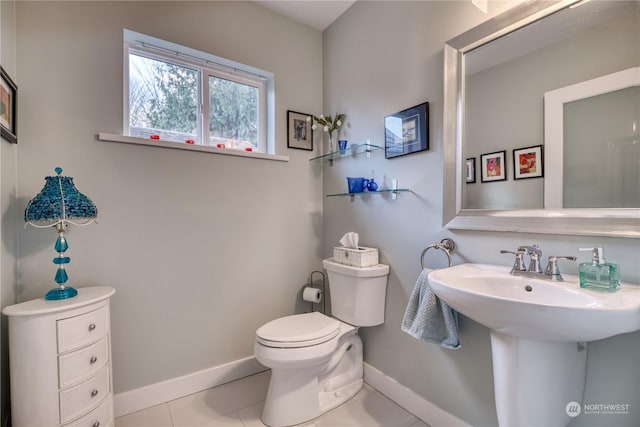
(58, 204)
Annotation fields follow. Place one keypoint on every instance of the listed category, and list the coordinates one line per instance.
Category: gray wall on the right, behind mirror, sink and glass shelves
(383, 57)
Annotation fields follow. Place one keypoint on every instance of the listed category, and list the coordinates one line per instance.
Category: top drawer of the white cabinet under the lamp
(78, 331)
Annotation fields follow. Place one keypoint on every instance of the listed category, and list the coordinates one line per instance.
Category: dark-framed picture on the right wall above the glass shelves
(407, 131)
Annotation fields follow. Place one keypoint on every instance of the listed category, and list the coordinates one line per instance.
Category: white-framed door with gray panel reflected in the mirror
(593, 160)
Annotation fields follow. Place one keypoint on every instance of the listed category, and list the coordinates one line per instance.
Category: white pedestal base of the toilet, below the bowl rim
(295, 397)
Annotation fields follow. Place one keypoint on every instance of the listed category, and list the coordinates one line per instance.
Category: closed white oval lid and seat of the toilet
(298, 330)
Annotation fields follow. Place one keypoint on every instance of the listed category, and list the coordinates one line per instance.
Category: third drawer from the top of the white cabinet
(84, 397)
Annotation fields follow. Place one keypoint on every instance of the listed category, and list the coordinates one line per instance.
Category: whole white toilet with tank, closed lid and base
(316, 360)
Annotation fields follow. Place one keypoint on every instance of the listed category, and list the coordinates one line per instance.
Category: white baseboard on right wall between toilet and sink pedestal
(410, 400)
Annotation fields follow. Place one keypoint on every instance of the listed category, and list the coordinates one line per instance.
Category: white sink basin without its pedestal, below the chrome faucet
(537, 309)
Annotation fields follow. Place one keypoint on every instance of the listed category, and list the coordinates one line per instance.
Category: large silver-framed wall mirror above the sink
(496, 76)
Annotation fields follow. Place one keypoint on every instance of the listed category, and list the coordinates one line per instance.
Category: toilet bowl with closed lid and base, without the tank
(312, 373)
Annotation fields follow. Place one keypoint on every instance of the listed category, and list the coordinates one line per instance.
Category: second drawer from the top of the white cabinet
(81, 364)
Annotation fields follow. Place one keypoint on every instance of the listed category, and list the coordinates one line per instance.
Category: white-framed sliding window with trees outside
(174, 93)
